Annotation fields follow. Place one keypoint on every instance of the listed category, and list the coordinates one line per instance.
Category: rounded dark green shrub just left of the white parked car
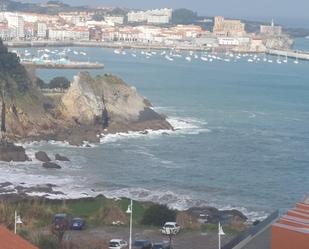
(157, 215)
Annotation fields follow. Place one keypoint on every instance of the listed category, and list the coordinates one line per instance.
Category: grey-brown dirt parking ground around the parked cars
(183, 240)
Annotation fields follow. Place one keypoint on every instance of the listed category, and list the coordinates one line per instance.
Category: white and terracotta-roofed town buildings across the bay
(150, 28)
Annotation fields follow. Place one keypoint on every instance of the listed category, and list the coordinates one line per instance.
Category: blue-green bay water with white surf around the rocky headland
(241, 139)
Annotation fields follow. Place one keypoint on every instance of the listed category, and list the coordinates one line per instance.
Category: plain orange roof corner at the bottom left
(9, 240)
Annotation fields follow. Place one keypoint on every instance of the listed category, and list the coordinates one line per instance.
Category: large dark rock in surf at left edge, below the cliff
(10, 152)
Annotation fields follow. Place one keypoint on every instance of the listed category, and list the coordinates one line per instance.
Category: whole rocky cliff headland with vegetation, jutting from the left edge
(91, 106)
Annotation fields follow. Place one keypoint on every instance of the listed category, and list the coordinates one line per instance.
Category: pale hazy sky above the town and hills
(295, 11)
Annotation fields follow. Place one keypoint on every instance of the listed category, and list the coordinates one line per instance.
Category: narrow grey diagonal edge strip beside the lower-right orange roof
(251, 231)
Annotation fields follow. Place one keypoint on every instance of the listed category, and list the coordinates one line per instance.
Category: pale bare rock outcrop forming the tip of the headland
(109, 102)
